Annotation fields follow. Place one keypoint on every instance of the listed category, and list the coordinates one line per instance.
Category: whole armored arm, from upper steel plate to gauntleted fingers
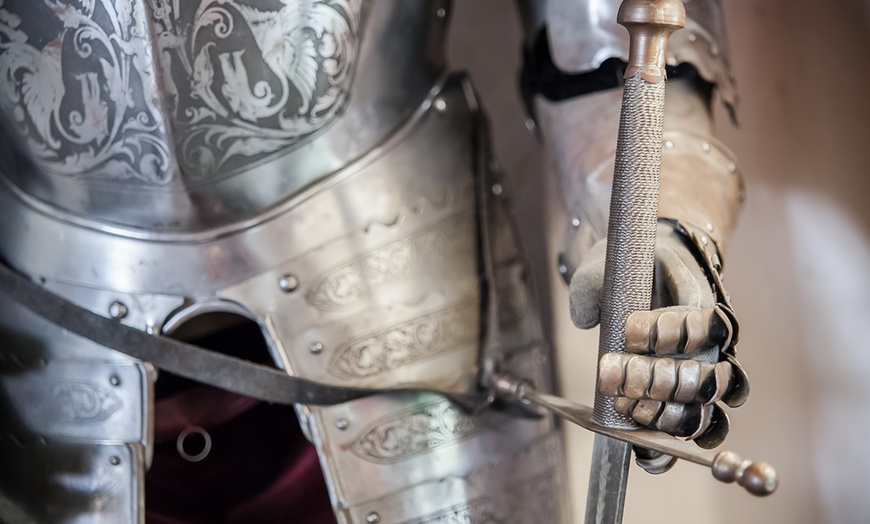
(683, 361)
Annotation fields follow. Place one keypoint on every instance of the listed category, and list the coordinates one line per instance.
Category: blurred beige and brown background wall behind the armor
(797, 268)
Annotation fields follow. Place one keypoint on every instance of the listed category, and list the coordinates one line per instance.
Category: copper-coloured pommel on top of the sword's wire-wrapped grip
(650, 24)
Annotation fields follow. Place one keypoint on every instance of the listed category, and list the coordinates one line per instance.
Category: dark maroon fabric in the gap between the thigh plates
(261, 469)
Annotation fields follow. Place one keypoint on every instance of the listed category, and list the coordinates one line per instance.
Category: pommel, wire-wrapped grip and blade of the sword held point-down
(631, 233)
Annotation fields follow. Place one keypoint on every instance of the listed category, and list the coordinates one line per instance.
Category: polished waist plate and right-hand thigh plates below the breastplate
(333, 277)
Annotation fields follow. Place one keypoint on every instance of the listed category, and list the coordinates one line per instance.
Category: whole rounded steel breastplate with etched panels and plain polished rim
(176, 117)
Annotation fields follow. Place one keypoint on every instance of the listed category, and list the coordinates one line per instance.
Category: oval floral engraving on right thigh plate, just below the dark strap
(417, 431)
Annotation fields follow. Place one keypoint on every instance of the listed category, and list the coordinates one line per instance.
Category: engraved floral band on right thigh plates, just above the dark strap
(404, 344)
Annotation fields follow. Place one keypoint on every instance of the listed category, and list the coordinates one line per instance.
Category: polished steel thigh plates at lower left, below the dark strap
(76, 424)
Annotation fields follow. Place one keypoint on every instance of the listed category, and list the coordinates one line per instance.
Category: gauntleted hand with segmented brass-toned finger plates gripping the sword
(679, 359)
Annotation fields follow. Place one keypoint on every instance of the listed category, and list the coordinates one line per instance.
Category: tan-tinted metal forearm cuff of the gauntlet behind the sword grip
(702, 184)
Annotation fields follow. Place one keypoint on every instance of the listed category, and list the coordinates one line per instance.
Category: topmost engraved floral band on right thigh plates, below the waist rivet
(399, 261)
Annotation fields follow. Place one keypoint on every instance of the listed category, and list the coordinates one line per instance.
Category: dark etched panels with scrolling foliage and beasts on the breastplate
(93, 85)
